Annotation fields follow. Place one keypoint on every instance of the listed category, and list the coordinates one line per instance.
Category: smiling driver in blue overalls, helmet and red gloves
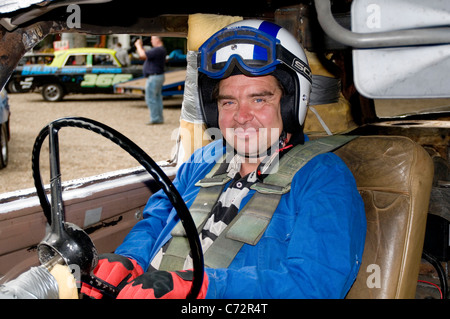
(254, 85)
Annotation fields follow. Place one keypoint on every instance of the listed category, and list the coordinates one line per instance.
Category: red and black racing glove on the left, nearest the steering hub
(114, 269)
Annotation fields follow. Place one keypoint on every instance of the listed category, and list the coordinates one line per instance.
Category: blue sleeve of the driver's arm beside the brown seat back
(313, 245)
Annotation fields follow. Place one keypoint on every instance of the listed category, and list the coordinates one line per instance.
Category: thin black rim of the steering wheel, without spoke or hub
(147, 162)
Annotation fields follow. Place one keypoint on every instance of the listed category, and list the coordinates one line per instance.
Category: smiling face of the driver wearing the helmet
(249, 112)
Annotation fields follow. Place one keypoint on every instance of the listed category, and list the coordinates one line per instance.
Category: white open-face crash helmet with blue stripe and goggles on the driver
(256, 48)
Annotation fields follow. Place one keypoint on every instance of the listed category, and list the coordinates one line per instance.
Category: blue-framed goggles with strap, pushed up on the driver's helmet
(253, 51)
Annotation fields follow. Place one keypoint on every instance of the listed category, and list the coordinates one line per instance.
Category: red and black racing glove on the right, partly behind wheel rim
(162, 285)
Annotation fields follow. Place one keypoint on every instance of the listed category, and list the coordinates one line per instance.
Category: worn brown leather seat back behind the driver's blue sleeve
(394, 177)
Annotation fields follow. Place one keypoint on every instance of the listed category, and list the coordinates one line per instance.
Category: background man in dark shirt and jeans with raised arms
(154, 72)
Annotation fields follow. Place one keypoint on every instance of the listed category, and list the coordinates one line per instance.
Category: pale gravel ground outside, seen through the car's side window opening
(83, 153)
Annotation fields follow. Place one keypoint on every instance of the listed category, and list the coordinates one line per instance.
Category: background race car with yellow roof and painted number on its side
(79, 70)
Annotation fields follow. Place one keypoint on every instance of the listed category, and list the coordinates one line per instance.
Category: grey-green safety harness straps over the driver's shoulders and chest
(249, 225)
